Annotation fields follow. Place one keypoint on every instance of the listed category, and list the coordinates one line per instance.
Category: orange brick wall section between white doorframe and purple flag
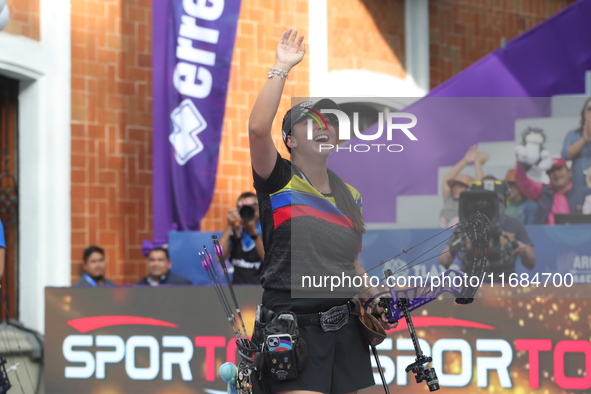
(112, 133)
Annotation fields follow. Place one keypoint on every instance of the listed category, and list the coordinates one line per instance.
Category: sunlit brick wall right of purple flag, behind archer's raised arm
(260, 25)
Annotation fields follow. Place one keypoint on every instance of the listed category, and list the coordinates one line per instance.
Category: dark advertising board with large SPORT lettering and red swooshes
(173, 340)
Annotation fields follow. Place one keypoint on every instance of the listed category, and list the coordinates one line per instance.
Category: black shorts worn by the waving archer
(338, 361)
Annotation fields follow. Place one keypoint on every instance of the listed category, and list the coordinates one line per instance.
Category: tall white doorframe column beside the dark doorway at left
(44, 71)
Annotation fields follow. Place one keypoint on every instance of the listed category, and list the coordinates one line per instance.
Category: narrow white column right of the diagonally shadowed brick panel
(416, 21)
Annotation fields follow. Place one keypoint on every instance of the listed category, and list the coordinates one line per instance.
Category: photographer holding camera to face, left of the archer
(242, 241)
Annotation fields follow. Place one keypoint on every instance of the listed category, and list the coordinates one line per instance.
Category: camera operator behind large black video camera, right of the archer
(509, 238)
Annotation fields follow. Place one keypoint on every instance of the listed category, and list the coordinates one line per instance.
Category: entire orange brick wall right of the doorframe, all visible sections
(112, 104)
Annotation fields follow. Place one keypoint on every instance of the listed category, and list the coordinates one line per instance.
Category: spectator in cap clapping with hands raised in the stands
(454, 184)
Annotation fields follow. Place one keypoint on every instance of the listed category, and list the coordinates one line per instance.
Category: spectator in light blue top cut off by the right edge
(577, 147)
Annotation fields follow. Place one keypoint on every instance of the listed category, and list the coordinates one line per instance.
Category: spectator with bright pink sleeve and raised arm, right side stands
(559, 197)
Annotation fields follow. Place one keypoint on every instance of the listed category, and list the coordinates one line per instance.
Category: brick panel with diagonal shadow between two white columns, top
(366, 34)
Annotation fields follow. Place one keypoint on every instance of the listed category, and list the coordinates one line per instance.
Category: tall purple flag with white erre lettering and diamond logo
(192, 52)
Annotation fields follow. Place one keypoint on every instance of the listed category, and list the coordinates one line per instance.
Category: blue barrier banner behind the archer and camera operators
(561, 250)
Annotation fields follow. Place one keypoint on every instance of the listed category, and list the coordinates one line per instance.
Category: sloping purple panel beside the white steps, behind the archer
(545, 61)
